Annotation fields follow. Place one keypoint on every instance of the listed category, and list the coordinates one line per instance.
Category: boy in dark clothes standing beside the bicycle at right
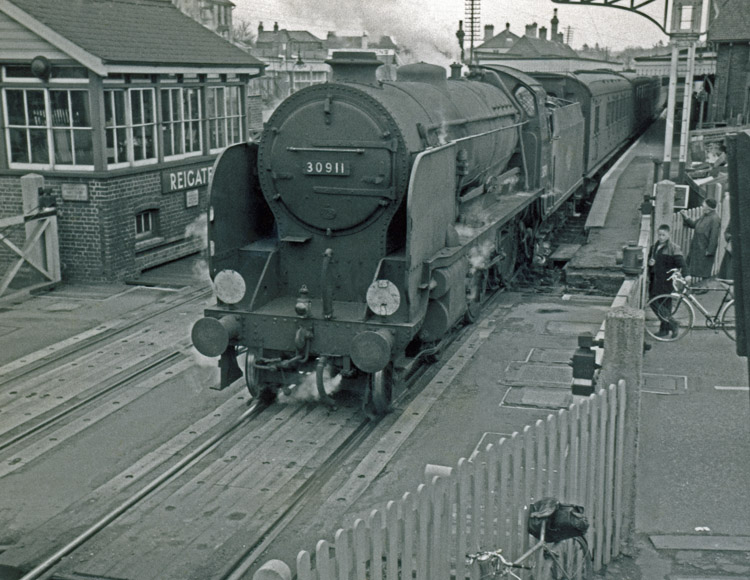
(663, 256)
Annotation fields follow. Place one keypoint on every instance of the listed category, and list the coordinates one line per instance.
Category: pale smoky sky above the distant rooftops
(428, 26)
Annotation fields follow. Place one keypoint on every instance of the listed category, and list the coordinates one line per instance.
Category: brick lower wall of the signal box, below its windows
(97, 237)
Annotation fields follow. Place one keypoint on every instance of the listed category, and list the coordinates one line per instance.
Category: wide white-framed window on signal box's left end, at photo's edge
(48, 128)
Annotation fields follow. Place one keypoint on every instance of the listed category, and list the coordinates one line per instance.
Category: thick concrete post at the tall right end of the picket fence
(623, 360)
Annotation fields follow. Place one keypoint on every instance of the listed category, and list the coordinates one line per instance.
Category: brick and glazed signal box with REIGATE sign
(123, 108)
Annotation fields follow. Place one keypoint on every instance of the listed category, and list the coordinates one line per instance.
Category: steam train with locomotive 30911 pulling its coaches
(372, 217)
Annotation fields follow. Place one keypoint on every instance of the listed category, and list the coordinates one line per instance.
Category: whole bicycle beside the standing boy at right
(669, 317)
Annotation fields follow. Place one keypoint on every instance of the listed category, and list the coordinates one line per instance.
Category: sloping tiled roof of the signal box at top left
(129, 32)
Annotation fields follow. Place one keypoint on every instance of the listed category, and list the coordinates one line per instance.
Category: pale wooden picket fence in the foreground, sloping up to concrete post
(575, 455)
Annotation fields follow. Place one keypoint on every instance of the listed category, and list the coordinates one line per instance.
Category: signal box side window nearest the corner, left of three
(130, 127)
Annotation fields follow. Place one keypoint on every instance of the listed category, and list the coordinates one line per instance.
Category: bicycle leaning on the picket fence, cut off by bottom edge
(568, 559)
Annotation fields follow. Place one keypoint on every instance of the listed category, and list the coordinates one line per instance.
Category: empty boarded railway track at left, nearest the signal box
(47, 390)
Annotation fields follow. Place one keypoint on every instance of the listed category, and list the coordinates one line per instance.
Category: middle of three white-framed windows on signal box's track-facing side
(181, 130)
